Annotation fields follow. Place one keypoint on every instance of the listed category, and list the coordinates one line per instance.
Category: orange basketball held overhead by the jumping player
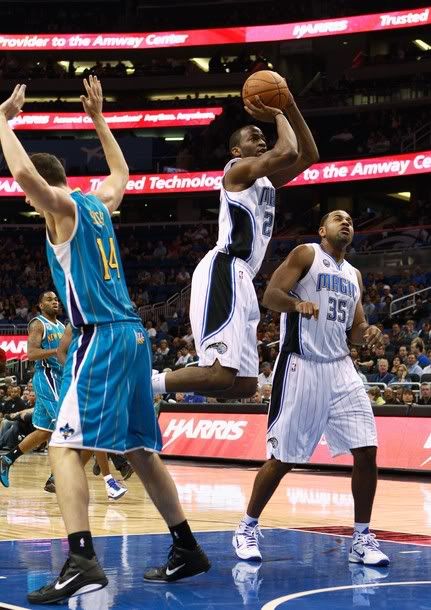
(269, 86)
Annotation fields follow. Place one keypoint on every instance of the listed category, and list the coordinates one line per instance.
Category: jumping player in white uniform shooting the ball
(224, 311)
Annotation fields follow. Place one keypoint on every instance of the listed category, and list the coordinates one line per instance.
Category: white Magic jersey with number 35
(335, 289)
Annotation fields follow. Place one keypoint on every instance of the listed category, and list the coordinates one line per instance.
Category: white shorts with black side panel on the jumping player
(224, 313)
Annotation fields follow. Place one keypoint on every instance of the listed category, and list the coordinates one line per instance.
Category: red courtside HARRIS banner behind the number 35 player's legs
(404, 442)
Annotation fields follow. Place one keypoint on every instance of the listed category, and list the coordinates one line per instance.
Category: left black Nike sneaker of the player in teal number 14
(79, 575)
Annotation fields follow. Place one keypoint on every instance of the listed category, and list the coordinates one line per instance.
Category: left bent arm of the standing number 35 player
(277, 294)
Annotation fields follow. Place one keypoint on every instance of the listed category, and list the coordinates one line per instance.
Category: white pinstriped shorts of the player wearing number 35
(313, 398)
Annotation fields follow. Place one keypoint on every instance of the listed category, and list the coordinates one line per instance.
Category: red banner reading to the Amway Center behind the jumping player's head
(406, 164)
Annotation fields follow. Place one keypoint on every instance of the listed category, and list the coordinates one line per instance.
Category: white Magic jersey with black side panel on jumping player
(246, 220)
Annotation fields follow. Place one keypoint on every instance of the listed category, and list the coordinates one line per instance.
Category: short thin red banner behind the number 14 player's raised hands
(133, 119)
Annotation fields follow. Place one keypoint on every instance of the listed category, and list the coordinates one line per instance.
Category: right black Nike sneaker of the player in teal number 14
(181, 563)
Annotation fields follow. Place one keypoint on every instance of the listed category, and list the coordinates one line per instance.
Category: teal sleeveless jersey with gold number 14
(87, 270)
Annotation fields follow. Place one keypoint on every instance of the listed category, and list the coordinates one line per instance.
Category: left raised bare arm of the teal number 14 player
(41, 195)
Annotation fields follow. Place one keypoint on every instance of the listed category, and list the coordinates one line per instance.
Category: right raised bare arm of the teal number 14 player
(112, 189)
